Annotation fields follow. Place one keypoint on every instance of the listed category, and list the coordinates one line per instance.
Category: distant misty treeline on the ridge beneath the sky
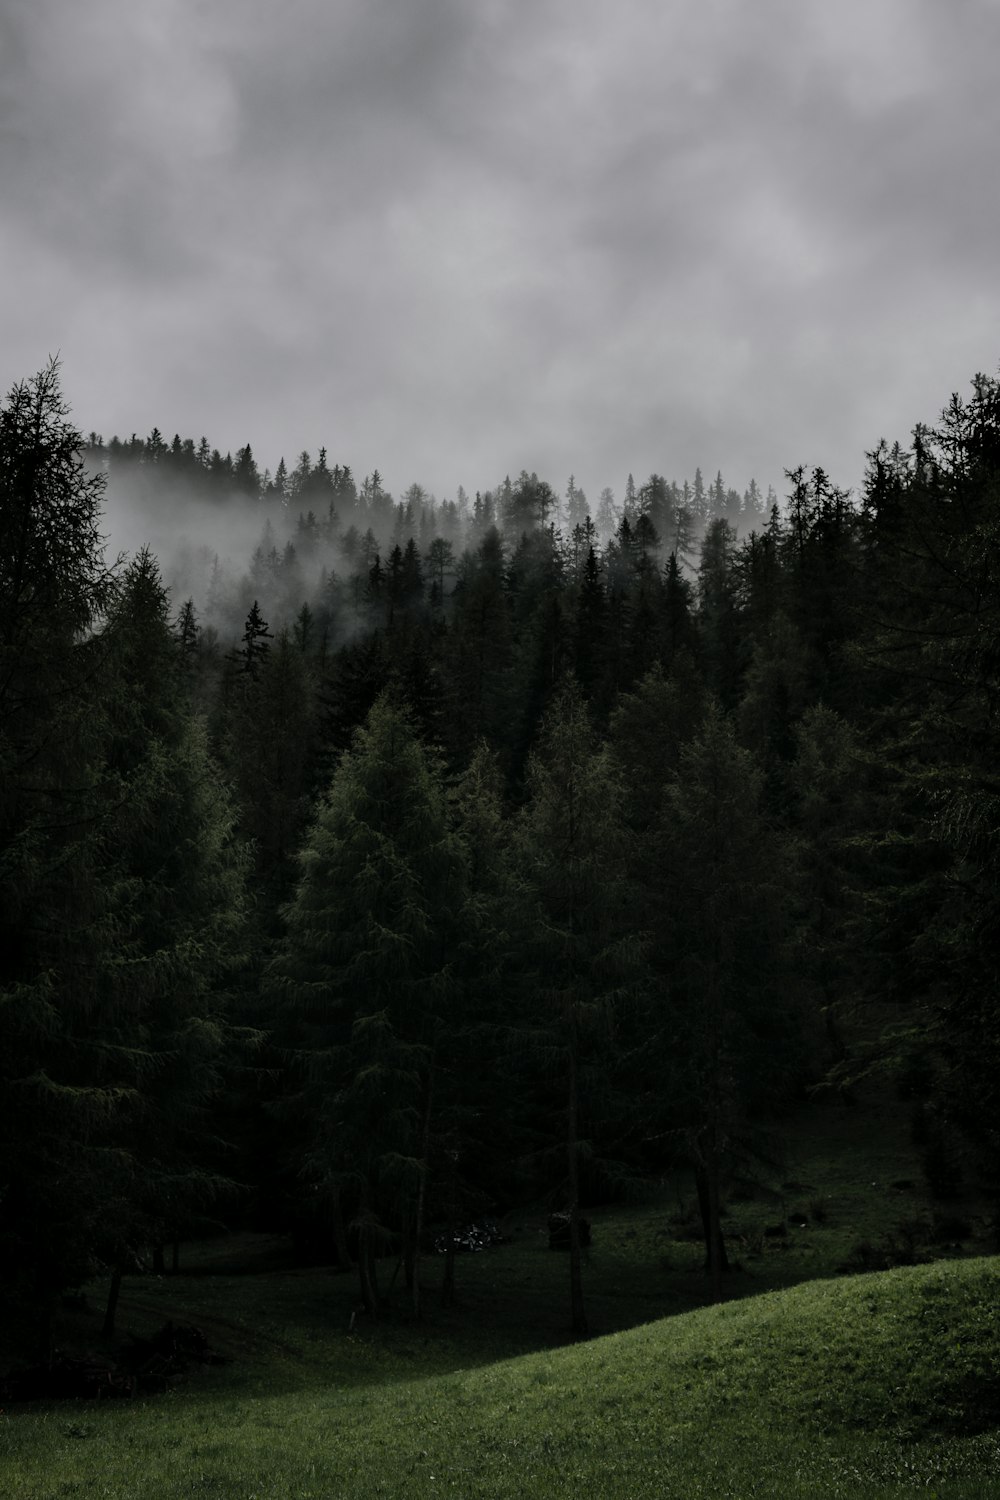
(350, 553)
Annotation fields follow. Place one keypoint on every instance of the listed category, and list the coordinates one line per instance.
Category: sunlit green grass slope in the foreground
(881, 1385)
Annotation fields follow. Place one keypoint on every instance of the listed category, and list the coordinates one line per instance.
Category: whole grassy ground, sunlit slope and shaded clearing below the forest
(798, 1385)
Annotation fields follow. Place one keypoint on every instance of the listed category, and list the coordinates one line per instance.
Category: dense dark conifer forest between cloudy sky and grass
(386, 863)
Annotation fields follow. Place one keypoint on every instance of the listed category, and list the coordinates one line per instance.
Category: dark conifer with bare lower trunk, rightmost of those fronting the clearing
(722, 949)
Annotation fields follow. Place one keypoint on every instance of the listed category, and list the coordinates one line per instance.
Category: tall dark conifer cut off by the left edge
(59, 1096)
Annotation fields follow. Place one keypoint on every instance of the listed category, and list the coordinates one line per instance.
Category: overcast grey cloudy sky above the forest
(454, 239)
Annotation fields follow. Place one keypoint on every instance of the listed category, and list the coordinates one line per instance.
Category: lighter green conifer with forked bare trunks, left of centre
(367, 985)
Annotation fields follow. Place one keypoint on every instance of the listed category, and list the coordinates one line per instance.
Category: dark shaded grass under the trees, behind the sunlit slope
(290, 1328)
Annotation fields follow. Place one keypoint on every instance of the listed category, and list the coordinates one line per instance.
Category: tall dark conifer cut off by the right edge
(930, 652)
